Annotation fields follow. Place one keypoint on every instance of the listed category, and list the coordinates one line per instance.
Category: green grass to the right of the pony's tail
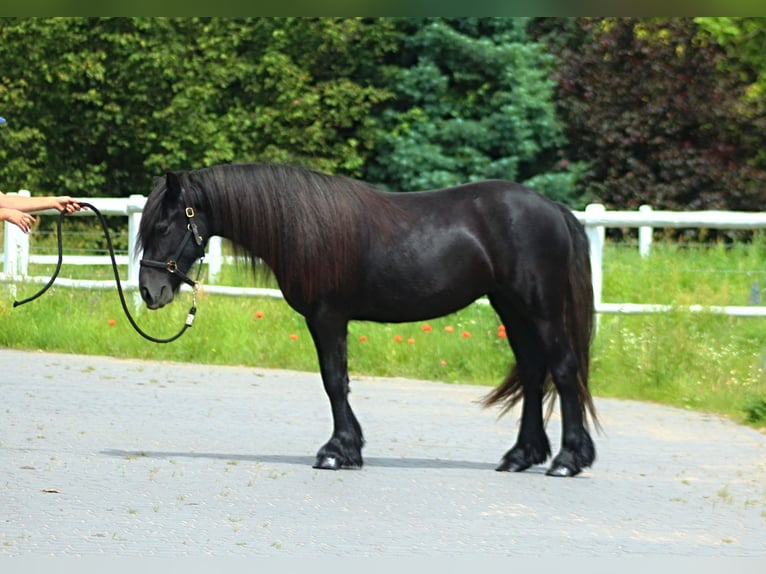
(701, 361)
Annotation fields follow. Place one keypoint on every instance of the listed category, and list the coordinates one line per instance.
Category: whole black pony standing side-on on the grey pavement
(342, 250)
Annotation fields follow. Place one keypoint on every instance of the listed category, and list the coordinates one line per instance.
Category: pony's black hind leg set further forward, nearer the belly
(526, 381)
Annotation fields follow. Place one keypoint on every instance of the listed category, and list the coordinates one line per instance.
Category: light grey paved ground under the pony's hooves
(125, 458)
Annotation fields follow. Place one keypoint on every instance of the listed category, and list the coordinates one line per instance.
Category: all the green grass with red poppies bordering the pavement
(701, 361)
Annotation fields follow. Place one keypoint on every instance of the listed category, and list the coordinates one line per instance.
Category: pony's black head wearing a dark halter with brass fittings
(173, 235)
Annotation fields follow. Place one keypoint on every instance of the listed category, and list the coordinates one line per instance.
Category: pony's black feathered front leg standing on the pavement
(344, 449)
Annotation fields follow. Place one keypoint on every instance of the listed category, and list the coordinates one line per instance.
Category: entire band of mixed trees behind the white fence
(627, 111)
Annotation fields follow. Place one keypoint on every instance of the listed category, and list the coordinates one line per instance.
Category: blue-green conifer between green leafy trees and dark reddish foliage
(473, 100)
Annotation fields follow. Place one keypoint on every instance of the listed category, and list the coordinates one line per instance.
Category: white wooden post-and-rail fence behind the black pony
(595, 218)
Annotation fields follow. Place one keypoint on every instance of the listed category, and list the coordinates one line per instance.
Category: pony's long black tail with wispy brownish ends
(579, 320)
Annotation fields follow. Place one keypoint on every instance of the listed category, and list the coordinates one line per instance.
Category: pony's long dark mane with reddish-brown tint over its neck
(311, 229)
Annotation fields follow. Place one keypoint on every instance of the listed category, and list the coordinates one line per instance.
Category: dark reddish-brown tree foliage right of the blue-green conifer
(651, 106)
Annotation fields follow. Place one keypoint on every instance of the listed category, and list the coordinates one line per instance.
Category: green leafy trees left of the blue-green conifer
(97, 106)
